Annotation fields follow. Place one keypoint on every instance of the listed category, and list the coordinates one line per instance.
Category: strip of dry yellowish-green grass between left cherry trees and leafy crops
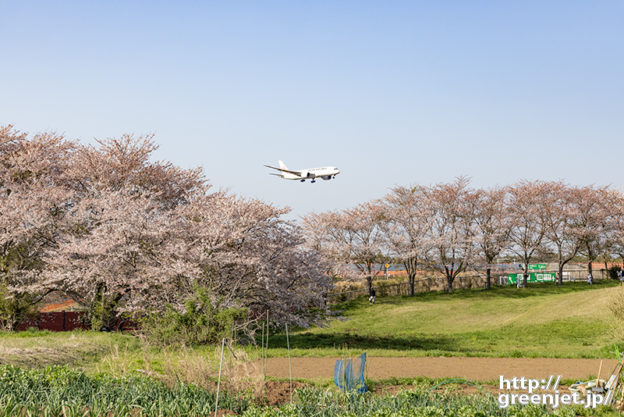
(123, 355)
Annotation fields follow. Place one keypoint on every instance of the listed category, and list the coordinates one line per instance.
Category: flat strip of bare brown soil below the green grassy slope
(482, 369)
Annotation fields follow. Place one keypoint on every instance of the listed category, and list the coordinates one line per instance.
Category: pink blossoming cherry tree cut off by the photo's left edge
(33, 198)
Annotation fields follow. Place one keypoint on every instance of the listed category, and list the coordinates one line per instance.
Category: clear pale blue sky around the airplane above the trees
(390, 92)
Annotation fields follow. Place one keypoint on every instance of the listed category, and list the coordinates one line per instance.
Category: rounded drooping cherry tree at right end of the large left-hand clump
(250, 257)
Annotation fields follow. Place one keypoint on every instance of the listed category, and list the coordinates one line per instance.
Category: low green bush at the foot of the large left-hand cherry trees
(202, 322)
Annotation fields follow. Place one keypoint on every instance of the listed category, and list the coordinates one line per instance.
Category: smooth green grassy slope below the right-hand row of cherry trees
(540, 321)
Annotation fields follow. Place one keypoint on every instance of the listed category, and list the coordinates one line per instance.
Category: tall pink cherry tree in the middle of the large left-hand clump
(117, 224)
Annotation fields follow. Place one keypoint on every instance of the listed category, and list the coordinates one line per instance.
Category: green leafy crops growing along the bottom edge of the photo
(59, 391)
